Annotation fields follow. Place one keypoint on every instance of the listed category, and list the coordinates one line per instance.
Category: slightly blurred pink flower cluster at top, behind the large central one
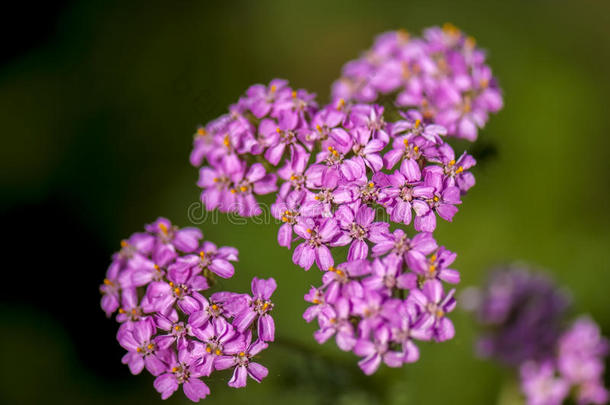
(443, 75)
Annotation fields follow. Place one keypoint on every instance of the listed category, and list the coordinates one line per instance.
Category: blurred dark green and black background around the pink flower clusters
(98, 103)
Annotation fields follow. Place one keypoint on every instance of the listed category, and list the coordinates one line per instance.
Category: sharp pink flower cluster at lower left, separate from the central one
(156, 283)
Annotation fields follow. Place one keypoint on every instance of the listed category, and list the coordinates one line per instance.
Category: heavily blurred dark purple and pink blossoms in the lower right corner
(525, 317)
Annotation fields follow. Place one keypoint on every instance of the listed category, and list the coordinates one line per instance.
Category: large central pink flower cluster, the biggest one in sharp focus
(346, 177)
